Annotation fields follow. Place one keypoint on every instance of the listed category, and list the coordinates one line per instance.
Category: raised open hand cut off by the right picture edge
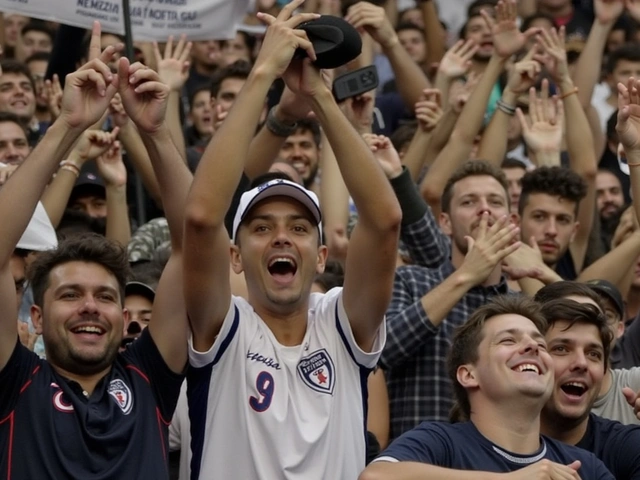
(628, 126)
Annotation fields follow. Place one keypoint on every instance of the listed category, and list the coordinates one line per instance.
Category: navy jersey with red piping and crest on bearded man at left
(50, 430)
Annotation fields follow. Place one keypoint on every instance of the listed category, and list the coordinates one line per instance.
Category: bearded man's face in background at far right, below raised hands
(610, 203)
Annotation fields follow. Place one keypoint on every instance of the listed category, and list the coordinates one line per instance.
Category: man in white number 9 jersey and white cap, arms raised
(278, 388)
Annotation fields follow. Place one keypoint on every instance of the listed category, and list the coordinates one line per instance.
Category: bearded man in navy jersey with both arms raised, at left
(87, 411)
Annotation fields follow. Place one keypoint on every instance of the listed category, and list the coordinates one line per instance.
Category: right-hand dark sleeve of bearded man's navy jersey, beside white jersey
(144, 354)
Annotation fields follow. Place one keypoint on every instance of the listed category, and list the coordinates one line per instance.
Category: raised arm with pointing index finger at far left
(86, 96)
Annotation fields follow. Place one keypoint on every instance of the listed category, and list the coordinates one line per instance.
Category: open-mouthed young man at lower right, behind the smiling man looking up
(579, 341)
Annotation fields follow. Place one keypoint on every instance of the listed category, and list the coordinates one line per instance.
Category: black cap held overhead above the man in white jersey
(334, 40)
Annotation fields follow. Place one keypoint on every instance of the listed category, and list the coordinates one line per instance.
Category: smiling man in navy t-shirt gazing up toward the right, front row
(502, 376)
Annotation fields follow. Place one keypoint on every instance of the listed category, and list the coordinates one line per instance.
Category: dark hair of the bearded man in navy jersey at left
(88, 247)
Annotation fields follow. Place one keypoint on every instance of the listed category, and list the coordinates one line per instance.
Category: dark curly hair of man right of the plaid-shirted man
(555, 181)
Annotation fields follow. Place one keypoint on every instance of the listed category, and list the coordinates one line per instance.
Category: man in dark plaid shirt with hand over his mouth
(429, 303)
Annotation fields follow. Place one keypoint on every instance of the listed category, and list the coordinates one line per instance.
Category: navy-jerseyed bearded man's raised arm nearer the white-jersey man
(145, 99)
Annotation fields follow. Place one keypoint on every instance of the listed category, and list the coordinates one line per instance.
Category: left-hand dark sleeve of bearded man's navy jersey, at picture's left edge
(14, 376)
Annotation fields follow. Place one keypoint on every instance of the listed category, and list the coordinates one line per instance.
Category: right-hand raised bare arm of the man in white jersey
(371, 256)
